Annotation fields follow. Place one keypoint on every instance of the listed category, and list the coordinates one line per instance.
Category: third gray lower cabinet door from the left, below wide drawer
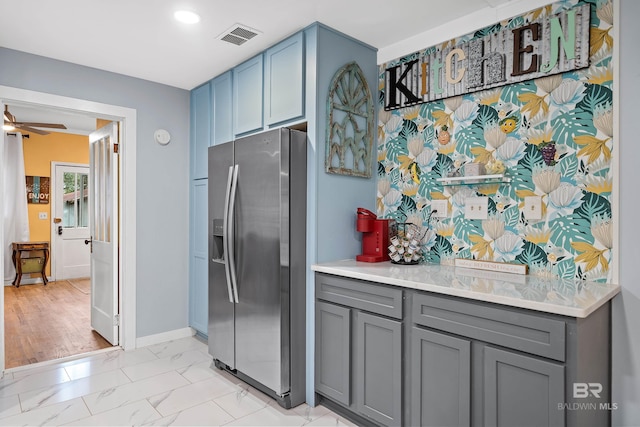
(440, 379)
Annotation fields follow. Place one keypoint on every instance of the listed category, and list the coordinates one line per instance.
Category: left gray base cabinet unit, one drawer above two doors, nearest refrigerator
(359, 348)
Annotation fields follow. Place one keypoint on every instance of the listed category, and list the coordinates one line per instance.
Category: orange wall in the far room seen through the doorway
(39, 152)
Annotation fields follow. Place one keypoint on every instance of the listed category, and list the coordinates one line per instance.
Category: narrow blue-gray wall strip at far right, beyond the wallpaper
(626, 307)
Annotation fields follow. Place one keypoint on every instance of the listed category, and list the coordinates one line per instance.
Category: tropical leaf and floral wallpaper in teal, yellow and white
(552, 136)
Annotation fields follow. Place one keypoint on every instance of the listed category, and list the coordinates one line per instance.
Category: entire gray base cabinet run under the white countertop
(396, 356)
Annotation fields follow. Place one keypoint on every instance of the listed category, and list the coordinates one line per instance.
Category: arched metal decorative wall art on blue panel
(350, 118)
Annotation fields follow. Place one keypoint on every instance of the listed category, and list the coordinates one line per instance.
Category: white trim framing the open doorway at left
(126, 195)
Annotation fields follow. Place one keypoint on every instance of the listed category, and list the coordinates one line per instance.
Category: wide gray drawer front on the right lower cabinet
(532, 334)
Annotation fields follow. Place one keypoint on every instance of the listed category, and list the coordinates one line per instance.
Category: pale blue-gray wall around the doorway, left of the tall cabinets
(162, 174)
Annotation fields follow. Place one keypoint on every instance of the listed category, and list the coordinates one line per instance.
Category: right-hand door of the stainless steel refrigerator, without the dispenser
(261, 206)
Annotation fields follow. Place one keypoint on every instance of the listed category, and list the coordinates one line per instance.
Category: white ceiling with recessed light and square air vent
(140, 38)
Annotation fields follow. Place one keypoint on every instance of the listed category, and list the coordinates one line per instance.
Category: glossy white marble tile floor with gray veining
(168, 384)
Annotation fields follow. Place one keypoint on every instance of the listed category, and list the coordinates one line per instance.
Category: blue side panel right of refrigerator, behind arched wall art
(331, 215)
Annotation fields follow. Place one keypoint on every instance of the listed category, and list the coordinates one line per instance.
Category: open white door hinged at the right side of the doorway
(103, 222)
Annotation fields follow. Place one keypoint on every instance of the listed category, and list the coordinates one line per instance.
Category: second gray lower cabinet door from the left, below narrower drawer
(379, 365)
